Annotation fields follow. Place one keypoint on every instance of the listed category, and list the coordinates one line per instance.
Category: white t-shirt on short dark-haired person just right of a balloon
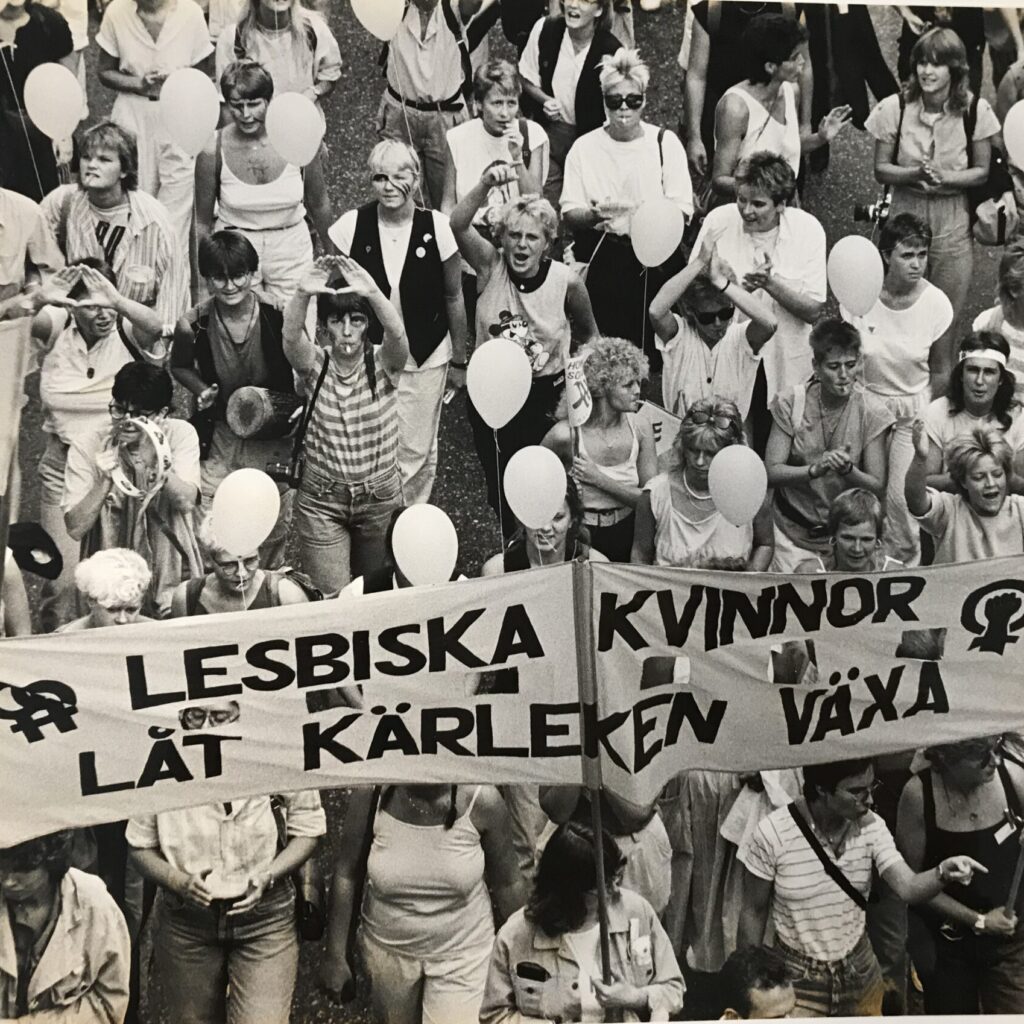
(897, 344)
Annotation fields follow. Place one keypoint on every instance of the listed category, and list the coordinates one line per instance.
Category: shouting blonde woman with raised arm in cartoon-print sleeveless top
(527, 297)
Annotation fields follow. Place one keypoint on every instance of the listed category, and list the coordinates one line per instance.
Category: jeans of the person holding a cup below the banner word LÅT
(201, 953)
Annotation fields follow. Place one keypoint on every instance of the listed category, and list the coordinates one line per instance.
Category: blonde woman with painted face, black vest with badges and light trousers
(413, 258)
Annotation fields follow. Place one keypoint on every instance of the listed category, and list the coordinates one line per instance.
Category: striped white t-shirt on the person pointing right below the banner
(812, 914)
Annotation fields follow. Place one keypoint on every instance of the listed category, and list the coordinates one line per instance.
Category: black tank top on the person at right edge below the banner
(986, 891)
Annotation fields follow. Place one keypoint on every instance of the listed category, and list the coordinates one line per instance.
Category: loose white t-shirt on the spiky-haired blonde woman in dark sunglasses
(599, 169)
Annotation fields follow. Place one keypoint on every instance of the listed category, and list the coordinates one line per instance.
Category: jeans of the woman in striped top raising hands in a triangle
(343, 528)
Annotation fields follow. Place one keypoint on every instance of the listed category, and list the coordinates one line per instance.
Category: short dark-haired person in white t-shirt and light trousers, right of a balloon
(906, 358)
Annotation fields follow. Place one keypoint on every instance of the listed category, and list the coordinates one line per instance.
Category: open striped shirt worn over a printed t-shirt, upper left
(149, 241)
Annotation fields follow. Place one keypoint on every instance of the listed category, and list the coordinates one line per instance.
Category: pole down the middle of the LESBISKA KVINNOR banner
(583, 609)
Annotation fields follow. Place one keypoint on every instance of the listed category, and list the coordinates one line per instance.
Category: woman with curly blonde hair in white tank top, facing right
(616, 455)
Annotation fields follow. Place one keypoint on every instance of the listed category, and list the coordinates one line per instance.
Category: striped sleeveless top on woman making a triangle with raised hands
(353, 436)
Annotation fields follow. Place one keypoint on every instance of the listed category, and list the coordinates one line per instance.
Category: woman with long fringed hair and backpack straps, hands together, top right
(923, 153)
